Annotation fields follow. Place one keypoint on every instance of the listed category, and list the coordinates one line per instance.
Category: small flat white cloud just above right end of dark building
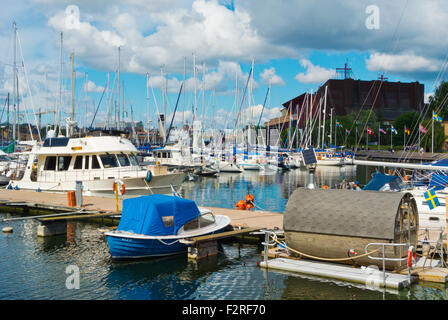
(408, 62)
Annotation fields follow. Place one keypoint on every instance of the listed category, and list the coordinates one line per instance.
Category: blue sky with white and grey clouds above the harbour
(295, 46)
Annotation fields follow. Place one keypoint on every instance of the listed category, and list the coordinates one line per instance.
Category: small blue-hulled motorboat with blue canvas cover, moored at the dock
(154, 225)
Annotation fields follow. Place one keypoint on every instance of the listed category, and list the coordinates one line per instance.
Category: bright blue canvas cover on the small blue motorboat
(145, 215)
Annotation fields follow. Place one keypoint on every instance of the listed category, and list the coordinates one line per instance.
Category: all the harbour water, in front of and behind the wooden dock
(34, 268)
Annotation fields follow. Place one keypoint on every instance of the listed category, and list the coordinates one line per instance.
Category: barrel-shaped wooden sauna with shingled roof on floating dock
(329, 223)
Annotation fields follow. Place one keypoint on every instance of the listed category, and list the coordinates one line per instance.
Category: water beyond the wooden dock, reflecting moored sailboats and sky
(271, 190)
